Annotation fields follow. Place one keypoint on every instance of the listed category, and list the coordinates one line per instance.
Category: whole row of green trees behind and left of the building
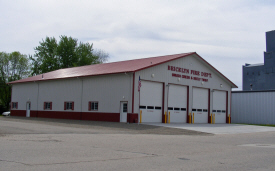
(50, 55)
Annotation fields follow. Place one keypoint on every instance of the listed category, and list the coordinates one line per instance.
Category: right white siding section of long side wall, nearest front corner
(108, 90)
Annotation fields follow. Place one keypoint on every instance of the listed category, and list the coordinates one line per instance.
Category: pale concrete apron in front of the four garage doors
(218, 128)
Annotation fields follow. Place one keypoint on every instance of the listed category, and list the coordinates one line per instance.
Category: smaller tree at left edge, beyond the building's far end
(13, 66)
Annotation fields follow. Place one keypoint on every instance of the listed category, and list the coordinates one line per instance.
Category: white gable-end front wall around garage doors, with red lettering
(162, 74)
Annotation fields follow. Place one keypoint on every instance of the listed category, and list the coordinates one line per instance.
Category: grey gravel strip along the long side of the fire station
(96, 127)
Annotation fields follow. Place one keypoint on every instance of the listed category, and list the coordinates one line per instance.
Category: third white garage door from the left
(200, 105)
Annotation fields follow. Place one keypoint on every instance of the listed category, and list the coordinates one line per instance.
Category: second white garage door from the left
(177, 103)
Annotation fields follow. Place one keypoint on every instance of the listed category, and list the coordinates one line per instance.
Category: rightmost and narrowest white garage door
(219, 106)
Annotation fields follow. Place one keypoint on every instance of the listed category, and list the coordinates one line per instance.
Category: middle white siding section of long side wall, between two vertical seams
(59, 91)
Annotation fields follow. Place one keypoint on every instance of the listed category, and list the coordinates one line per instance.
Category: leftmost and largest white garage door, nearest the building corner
(151, 101)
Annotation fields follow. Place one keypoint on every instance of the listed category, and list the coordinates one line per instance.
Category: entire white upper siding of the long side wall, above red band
(108, 90)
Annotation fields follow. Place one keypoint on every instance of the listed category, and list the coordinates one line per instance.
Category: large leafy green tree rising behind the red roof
(50, 55)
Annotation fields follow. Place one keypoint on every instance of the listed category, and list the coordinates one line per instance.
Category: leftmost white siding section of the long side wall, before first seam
(22, 92)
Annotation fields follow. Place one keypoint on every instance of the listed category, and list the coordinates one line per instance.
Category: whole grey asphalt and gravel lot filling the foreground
(48, 144)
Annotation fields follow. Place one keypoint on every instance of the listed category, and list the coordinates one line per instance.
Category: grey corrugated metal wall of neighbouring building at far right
(253, 108)
